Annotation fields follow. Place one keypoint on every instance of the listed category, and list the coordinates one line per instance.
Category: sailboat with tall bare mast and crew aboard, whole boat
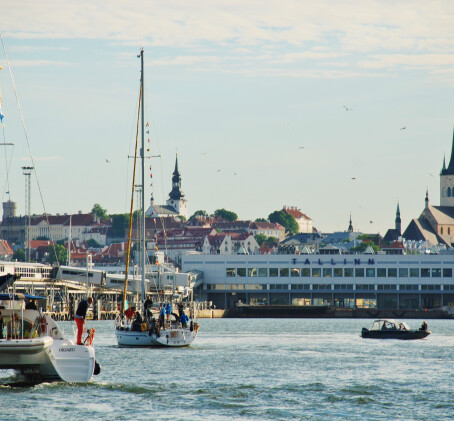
(151, 329)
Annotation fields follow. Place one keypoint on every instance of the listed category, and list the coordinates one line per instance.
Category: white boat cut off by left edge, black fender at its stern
(32, 344)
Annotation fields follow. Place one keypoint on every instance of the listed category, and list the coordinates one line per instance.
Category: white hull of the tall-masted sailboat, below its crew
(167, 338)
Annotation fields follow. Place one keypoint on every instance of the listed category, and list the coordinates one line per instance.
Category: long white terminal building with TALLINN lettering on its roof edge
(381, 281)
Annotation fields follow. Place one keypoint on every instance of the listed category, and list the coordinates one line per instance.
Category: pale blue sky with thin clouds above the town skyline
(336, 108)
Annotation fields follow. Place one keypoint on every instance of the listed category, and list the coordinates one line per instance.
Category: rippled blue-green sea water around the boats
(254, 369)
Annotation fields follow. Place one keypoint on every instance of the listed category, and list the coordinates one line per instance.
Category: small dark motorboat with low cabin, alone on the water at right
(393, 329)
